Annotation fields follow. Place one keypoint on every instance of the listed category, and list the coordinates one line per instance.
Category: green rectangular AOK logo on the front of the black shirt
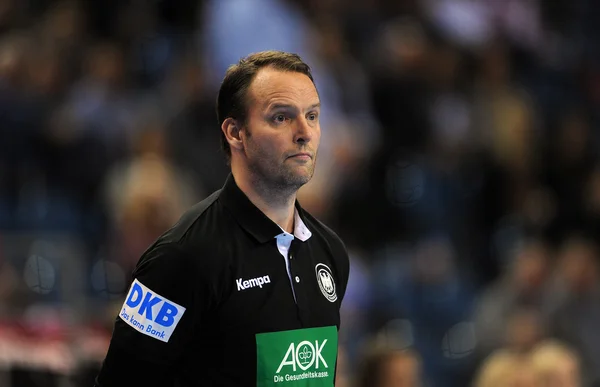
(303, 357)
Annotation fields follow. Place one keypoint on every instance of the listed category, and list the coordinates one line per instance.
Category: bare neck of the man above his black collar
(277, 203)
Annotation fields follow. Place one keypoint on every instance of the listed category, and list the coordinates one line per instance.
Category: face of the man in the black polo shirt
(282, 131)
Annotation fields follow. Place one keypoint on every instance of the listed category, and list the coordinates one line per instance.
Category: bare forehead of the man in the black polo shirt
(271, 85)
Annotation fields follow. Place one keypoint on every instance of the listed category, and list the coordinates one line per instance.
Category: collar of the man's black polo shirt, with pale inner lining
(253, 220)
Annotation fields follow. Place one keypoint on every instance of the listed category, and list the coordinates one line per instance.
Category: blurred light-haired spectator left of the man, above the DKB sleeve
(145, 196)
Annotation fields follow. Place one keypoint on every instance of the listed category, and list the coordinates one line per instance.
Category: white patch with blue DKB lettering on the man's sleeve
(150, 313)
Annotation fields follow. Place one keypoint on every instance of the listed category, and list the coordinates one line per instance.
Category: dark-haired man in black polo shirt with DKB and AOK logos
(245, 289)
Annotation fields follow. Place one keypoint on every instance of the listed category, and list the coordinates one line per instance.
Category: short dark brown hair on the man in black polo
(232, 98)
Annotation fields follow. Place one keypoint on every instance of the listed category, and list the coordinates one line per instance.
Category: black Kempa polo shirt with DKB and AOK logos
(213, 303)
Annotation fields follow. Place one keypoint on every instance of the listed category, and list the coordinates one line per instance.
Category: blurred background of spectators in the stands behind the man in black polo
(459, 162)
